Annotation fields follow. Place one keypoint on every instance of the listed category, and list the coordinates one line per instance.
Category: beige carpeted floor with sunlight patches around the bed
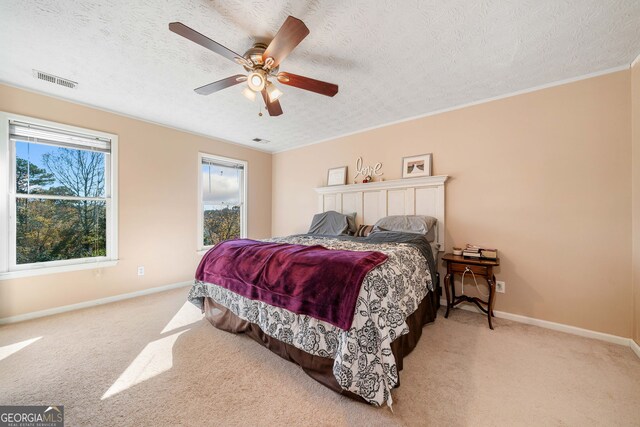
(153, 361)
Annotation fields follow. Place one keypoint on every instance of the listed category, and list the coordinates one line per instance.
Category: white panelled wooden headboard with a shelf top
(375, 200)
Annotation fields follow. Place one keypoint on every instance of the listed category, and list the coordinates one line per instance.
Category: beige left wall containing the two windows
(158, 175)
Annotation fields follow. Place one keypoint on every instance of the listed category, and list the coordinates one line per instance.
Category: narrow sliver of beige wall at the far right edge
(635, 120)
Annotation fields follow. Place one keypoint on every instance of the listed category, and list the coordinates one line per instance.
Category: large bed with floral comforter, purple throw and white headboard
(361, 358)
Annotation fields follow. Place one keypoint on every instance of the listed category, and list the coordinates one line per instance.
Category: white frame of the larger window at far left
(8, 267)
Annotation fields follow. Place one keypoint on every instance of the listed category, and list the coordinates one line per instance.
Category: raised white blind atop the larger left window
(43, 135)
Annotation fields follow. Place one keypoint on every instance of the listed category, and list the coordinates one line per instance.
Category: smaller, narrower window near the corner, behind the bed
(222, 196)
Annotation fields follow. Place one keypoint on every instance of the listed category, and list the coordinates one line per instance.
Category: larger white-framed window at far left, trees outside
(58, 204)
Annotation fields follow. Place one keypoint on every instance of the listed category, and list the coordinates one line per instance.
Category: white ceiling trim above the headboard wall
(471, 104)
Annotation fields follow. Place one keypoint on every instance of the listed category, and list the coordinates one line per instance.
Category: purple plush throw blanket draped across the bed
(310, 280)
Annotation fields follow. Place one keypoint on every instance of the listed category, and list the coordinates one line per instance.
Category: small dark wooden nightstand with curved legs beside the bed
(480, 267)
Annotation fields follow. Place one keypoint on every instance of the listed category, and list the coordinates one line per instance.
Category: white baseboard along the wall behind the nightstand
(574, 330)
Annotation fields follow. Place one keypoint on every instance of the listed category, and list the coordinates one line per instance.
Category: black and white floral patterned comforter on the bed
(364, 363)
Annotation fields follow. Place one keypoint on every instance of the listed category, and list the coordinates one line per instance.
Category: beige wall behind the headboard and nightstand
(545, 177)
